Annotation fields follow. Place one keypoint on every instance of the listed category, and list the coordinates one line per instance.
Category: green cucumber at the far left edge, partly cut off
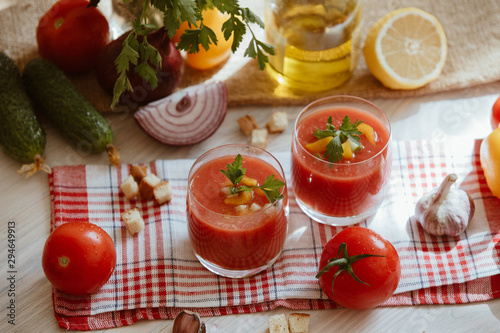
(21, 135)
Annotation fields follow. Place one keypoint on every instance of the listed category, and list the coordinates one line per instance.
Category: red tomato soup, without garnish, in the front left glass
(225, 236)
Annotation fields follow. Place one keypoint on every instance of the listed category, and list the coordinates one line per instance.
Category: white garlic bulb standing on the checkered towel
(445, 210)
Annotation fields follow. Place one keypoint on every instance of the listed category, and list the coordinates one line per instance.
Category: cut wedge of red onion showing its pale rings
(186, 117)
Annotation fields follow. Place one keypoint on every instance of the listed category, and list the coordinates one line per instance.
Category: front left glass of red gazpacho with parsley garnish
(237, 210)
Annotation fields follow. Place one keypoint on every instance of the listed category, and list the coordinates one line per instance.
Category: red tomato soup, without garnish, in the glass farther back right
(350, 187)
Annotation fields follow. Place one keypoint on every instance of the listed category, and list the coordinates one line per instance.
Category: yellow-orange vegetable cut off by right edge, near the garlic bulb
(489, 154)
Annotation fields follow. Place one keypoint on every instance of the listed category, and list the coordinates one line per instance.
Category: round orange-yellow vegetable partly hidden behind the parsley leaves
(216, 54)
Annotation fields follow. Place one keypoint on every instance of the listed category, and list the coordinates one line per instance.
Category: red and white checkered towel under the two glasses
(157, 274)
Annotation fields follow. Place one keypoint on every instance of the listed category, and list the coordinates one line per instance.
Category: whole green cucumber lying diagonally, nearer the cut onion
(71, 112)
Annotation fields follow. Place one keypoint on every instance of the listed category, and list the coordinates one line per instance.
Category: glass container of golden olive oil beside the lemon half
(317, 42)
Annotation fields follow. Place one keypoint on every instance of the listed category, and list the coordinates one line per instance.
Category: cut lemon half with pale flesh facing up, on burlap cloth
(406, 49)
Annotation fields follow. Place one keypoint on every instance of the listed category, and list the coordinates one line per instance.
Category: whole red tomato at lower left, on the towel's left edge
(78, 258)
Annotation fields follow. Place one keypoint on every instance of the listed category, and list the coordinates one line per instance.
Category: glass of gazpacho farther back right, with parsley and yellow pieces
(341, 159)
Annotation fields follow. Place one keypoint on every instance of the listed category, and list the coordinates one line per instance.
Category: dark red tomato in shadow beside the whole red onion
(72, 35)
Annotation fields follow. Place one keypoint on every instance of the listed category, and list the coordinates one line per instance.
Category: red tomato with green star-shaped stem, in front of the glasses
(375, 265)
